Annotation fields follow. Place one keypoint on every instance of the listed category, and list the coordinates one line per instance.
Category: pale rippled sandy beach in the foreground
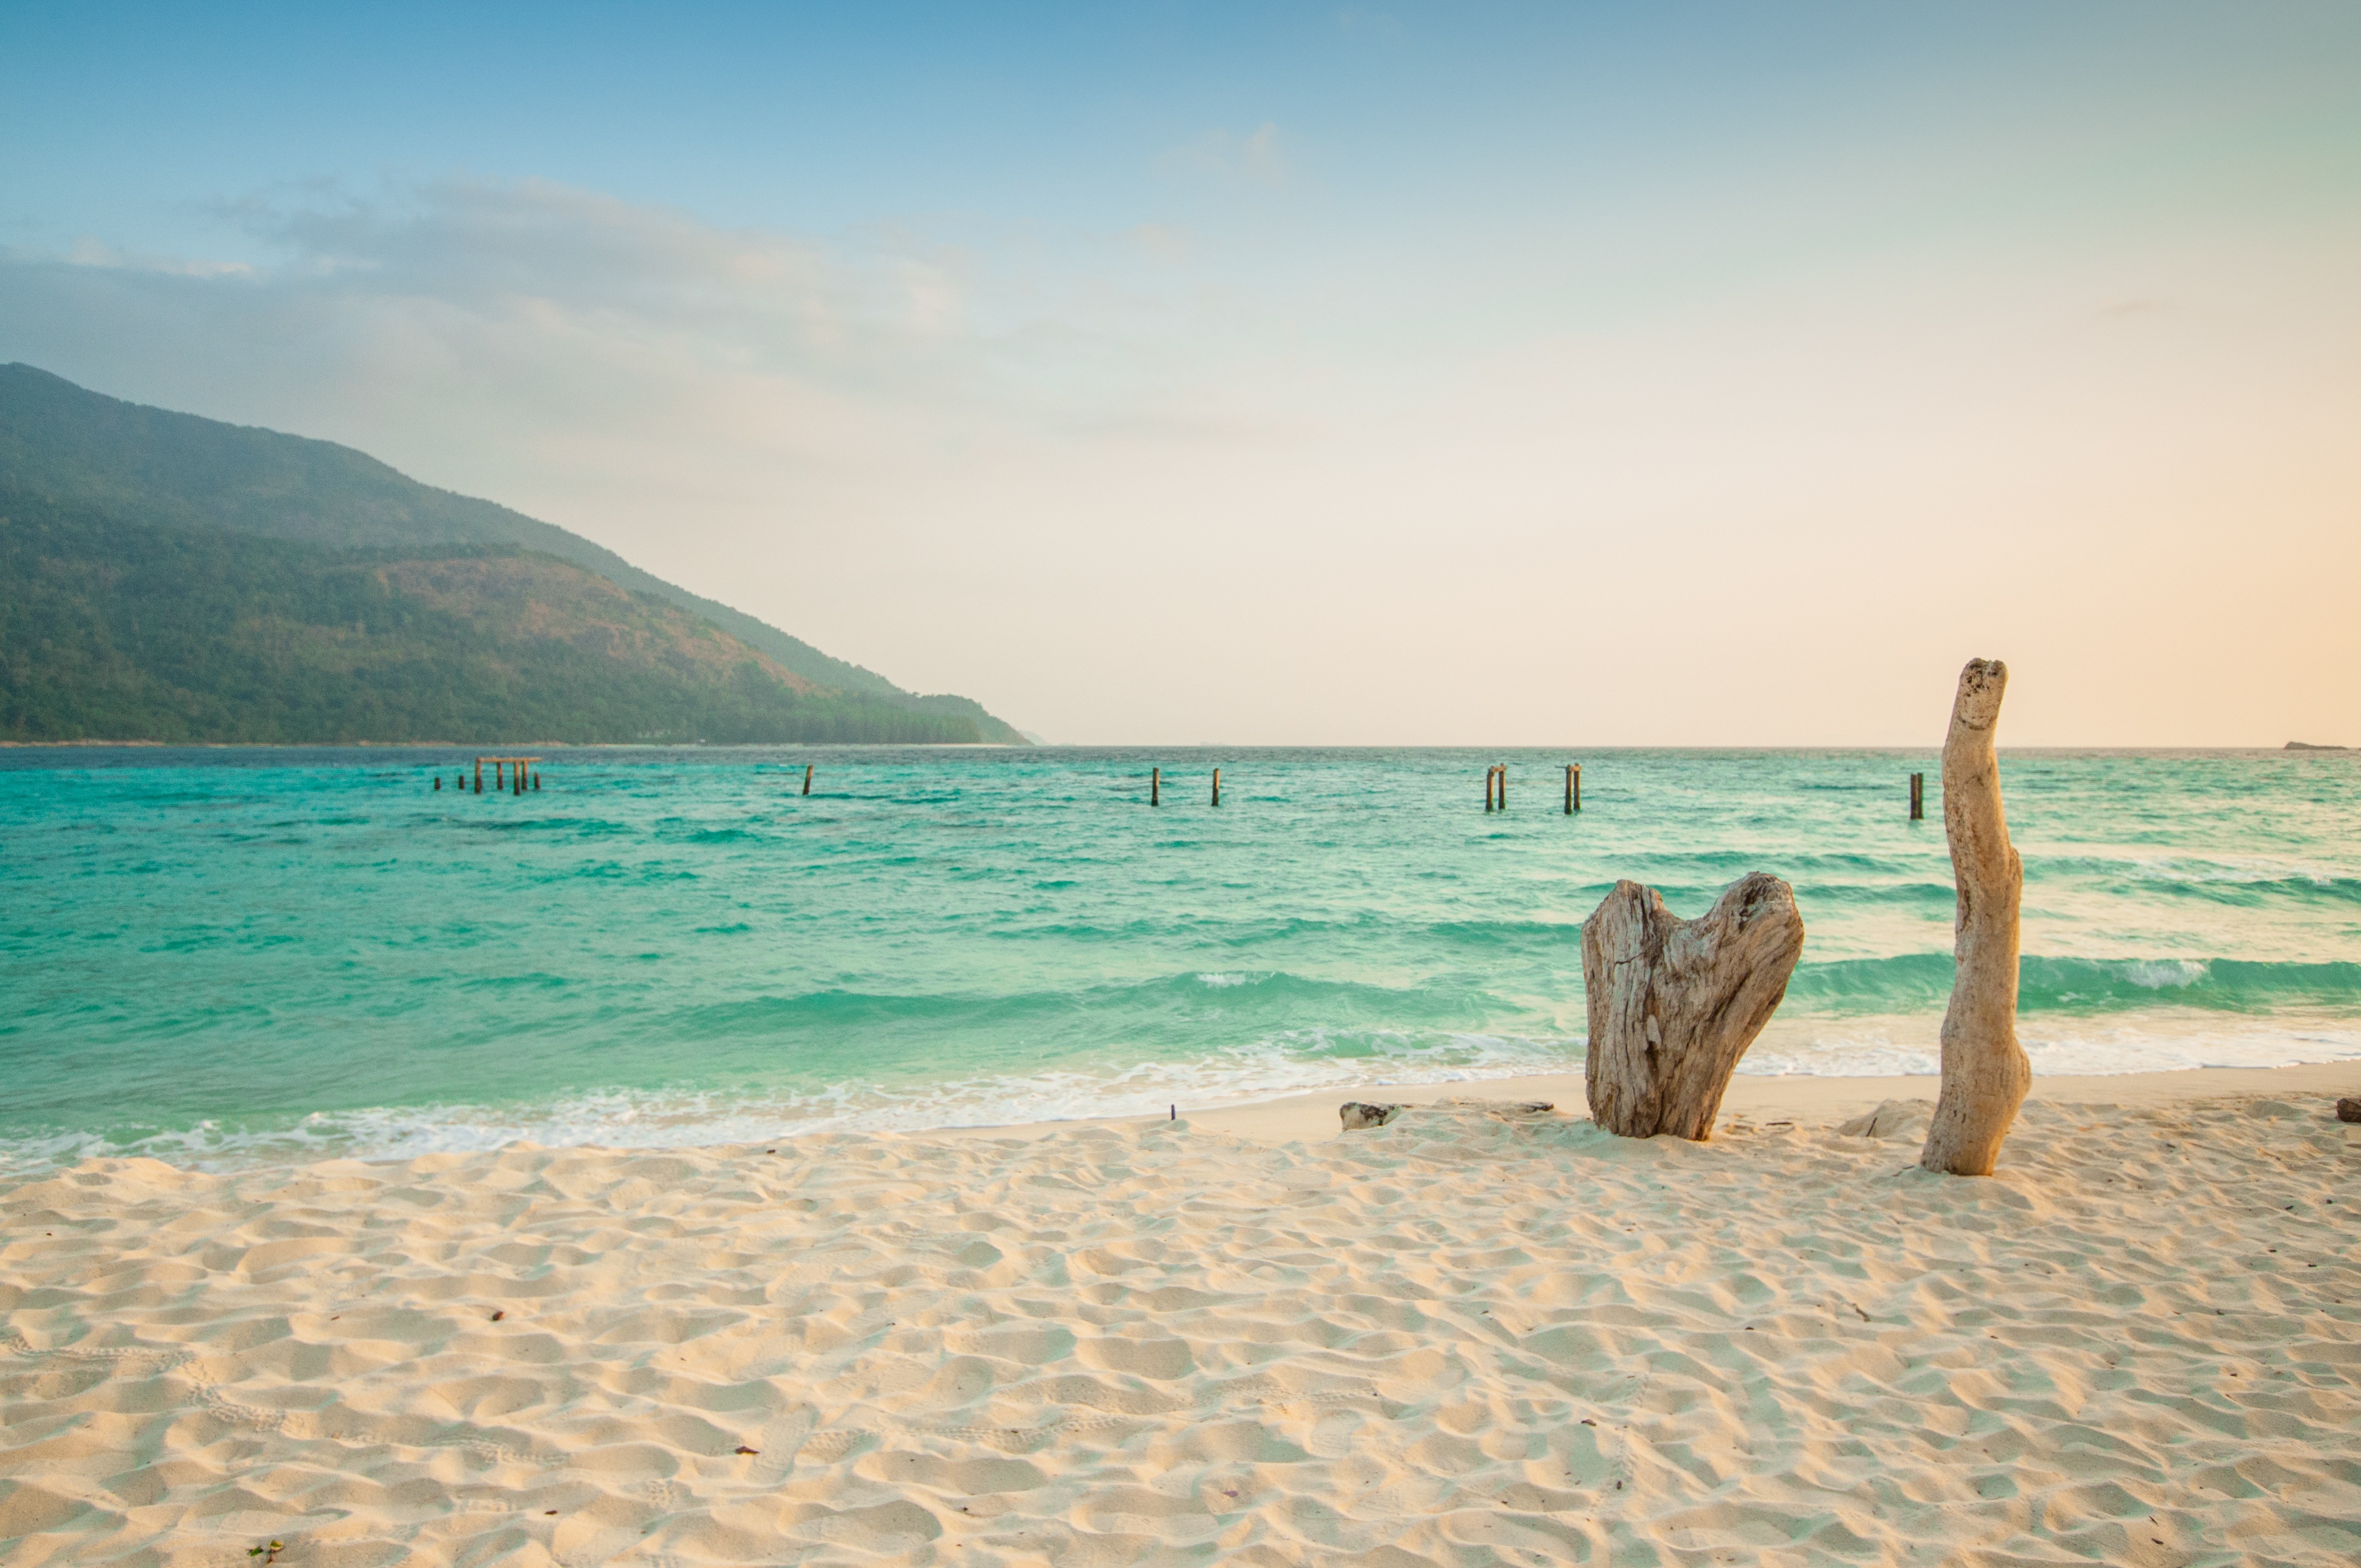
(1236, 1338)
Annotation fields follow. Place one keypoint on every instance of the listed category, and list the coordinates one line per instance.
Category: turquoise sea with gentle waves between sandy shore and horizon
(259, 955)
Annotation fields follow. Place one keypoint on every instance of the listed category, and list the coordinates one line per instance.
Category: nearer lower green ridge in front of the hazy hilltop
(124, 632)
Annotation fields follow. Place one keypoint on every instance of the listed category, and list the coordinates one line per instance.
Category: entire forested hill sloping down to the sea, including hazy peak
(105, 502)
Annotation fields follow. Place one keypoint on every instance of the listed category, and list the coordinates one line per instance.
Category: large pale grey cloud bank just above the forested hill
(556, 318)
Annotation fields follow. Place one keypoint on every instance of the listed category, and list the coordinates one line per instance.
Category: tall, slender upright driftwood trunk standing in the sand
(1984, 1069)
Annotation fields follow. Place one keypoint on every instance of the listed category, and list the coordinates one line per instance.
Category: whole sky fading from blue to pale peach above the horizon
(1262, 374)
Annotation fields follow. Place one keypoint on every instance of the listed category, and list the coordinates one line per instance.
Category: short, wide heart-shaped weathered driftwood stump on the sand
(1677, 1002)
